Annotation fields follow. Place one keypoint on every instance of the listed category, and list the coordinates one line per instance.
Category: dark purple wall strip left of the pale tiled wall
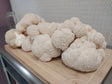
(4, 8)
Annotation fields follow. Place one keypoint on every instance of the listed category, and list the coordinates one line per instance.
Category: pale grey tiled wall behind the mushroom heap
(97, 13)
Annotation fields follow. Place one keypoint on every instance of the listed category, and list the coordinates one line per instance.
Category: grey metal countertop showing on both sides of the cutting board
(30, 77)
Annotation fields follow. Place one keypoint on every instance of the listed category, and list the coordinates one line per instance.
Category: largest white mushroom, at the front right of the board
(83, 56)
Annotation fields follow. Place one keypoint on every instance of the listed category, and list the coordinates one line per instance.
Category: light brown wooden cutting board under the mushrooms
(55, 72)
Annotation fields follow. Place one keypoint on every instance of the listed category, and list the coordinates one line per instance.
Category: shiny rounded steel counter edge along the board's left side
(23, 71)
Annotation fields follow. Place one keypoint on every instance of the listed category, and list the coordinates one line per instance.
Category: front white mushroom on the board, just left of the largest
(42, 48)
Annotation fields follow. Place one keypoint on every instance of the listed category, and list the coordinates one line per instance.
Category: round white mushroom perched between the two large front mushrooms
(62, 38)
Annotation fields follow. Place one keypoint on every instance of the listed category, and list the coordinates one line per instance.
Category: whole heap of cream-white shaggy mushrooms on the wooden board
(80, 46)
